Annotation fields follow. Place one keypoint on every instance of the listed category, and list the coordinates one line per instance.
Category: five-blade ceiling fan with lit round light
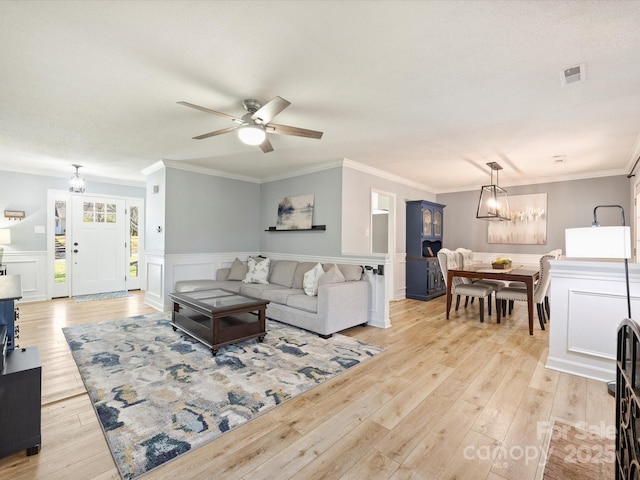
(254, 125)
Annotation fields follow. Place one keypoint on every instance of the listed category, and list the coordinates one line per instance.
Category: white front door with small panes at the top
(99, 245)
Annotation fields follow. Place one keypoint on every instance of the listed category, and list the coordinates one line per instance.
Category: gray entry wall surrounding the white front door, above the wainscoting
(28, 192)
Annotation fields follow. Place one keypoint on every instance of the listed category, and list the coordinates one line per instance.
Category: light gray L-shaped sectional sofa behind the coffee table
(338, 305)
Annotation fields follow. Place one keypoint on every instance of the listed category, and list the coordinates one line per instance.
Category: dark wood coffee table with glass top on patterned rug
(219, 317)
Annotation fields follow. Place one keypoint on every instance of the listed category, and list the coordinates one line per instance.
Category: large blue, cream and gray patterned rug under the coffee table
(158, 393)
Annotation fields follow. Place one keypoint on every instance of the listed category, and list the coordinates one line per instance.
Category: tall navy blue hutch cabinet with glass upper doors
(423, 241)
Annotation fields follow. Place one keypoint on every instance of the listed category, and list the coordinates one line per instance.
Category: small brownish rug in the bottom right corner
(577, 454)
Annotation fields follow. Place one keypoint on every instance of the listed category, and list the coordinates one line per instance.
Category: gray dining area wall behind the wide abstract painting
(569, 204)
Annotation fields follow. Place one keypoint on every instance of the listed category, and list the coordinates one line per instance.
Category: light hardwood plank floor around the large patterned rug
(448, 399)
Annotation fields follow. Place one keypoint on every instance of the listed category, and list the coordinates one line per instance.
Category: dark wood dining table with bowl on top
(527, 274)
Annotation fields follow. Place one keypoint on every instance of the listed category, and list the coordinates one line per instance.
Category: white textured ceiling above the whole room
(428, 91)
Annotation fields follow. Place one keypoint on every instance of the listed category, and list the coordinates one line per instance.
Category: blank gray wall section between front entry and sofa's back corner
(207, 214)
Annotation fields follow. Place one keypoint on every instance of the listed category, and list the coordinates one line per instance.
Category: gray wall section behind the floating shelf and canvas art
(326, 186)
